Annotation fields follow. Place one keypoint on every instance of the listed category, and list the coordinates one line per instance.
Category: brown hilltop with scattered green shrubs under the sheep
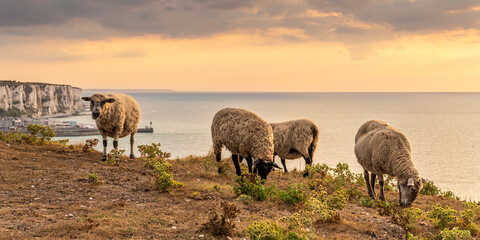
(52, 190)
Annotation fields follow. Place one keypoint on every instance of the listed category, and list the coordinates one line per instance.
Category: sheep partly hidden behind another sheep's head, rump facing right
(295, 139)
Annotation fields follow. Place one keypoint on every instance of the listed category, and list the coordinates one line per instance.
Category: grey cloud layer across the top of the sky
(197, 18)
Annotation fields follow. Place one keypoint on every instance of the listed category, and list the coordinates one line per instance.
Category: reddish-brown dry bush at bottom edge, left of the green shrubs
(224, 224)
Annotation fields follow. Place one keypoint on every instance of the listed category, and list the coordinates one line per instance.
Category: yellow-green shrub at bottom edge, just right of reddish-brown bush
(265, 230)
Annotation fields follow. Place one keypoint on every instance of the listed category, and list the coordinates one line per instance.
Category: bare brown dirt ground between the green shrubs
(45, 193)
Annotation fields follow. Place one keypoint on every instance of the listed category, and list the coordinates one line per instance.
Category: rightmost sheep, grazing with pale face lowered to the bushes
(382, 149)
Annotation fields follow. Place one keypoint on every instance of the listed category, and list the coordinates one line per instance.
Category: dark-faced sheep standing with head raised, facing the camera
(116, 116)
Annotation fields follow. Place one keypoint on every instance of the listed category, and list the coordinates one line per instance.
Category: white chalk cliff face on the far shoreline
(40, 99)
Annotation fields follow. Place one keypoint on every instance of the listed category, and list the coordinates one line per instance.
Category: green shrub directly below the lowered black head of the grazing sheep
(250, 184)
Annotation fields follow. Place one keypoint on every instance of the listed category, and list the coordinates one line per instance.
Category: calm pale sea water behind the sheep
(443, 128)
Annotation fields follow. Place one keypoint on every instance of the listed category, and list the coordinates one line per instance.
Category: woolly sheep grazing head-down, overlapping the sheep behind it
(246, 134)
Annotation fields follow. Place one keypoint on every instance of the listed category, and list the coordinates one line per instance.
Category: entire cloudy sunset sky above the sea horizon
(244, 45)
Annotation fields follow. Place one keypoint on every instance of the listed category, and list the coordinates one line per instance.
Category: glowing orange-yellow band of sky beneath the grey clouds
(270, 58)
